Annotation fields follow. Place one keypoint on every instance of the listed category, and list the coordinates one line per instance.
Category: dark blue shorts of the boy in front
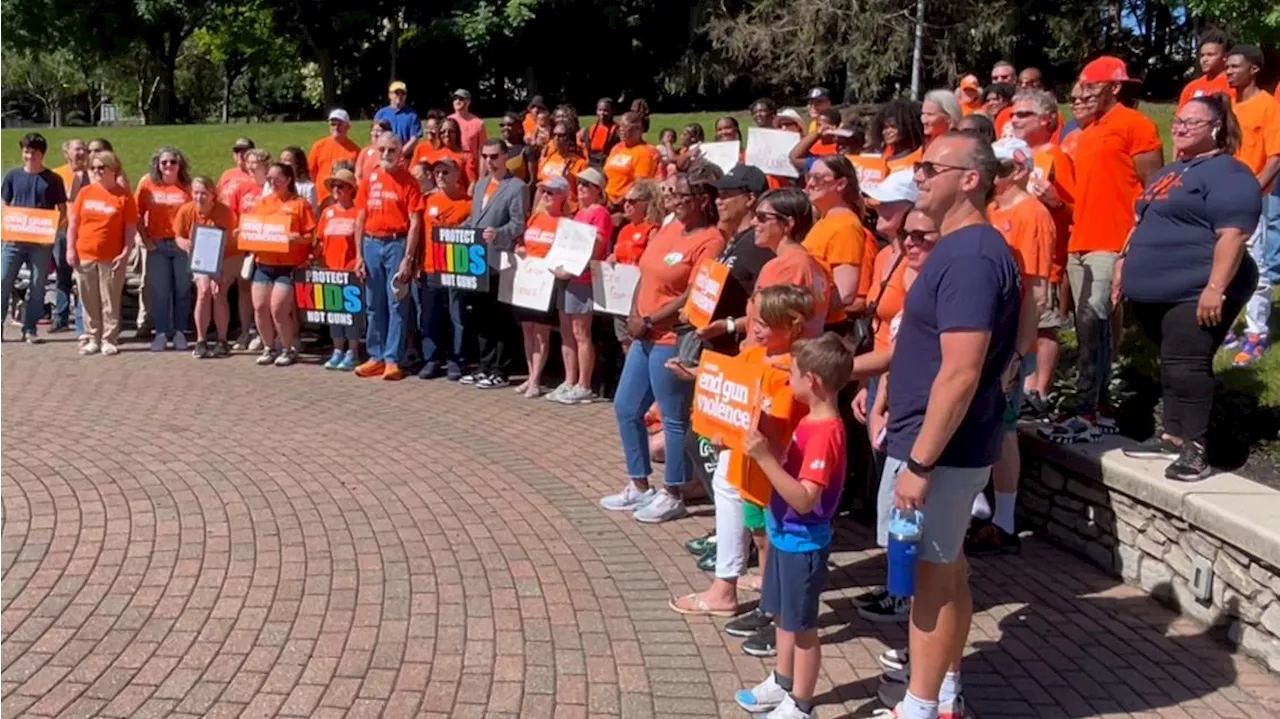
(792, 587)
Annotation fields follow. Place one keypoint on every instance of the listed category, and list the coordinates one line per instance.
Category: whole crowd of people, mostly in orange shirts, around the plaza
(902, 301)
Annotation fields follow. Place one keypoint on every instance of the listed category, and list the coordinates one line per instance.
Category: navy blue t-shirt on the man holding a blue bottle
(971, 282)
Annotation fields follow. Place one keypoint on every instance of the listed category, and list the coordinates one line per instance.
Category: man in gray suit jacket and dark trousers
(499, 209)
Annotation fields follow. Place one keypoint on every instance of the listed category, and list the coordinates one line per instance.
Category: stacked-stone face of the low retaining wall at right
(1151, 548)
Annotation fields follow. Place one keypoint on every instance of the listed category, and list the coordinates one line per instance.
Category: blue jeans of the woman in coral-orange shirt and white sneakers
(644, 381)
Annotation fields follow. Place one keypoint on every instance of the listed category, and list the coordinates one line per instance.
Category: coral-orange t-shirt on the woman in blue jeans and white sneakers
(666, 269)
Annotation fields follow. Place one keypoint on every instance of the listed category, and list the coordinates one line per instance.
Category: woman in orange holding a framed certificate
(207, 212)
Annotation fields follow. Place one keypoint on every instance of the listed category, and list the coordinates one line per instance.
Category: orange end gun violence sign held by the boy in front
(726, 400)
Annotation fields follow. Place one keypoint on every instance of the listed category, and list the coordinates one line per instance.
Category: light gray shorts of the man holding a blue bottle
(948, 507)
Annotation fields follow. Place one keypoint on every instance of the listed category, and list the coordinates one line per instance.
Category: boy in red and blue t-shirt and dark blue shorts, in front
(807, 486)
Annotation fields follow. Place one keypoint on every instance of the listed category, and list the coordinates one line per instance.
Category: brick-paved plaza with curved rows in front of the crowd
(214, 539)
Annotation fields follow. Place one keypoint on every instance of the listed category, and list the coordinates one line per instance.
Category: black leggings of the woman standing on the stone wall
(1186, 361)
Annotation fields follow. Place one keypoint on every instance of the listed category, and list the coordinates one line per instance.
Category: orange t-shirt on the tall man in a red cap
(1107, 184)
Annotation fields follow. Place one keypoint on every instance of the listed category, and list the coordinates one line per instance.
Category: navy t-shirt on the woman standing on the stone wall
(1180, 214)
